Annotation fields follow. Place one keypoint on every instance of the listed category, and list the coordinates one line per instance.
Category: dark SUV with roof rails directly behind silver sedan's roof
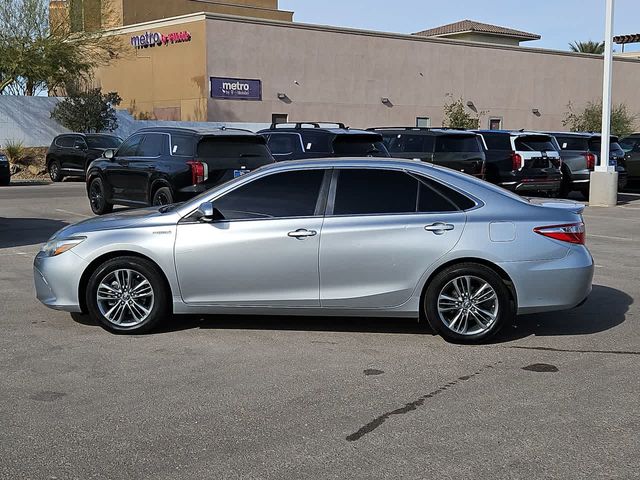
(295, 141)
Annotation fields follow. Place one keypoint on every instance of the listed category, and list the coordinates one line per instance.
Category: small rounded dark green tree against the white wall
(89, 111)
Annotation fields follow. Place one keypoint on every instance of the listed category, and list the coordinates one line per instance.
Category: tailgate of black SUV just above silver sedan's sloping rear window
(460, 152)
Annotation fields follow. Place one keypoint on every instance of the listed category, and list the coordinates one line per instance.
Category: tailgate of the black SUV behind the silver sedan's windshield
(231, 156)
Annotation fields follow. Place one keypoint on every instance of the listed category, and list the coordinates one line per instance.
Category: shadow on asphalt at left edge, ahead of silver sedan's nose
(19, 232)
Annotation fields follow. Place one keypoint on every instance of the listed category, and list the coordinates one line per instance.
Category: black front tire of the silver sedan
(141, 270)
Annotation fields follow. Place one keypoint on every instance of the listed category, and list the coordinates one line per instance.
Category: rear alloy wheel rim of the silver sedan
(468, 305)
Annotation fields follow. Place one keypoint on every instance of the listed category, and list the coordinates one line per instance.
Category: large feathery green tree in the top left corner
(38, 55)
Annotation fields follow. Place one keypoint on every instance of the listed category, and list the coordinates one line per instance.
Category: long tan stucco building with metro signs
(264, 67)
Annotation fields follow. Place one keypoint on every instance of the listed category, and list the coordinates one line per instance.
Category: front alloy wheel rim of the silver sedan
(125, 298)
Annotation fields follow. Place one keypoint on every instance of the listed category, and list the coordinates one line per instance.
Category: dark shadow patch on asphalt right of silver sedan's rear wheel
(605, 309)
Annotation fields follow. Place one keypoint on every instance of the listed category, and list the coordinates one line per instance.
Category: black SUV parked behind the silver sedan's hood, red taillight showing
(160, 166)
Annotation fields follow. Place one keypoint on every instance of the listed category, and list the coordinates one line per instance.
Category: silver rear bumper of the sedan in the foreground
(546, 286)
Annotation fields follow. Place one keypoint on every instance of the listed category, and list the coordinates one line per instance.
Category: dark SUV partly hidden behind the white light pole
(580, 153)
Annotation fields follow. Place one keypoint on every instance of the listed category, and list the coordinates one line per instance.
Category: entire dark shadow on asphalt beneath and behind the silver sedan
(605, 309)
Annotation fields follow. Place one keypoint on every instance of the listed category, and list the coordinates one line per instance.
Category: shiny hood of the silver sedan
(144, 217)
